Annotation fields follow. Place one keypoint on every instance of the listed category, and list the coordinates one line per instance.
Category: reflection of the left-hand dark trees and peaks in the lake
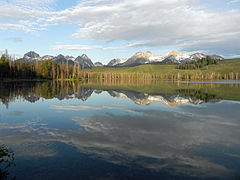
(32, 91)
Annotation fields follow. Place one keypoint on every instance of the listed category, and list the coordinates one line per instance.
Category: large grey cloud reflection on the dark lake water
(175, 139)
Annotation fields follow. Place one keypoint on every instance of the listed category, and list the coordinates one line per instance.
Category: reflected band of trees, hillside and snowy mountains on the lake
(193, 93)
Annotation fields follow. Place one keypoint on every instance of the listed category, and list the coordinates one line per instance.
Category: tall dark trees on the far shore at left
(47, 69)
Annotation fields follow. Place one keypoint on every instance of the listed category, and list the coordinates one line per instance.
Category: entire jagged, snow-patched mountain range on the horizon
(173, 57)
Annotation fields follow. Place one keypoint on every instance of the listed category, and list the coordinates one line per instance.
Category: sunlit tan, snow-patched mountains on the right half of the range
(173, 57)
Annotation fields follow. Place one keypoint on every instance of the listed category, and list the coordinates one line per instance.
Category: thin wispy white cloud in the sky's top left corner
(24, 15)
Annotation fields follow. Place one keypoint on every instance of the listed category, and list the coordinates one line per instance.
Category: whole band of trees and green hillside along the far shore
(204, 69)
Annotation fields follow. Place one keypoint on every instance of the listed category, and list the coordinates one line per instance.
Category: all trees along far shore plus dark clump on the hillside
(49, 69)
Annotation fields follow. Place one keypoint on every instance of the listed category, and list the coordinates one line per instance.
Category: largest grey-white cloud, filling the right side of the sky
(156, 23)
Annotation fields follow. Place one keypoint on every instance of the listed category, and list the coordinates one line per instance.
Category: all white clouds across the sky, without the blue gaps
(159, 23)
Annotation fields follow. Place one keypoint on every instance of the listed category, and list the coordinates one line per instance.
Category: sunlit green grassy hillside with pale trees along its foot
(225, 70)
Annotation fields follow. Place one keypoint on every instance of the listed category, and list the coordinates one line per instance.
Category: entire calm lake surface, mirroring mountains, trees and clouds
(120, 130)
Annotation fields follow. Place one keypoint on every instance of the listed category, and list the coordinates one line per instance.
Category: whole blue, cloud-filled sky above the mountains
(108, 29)
